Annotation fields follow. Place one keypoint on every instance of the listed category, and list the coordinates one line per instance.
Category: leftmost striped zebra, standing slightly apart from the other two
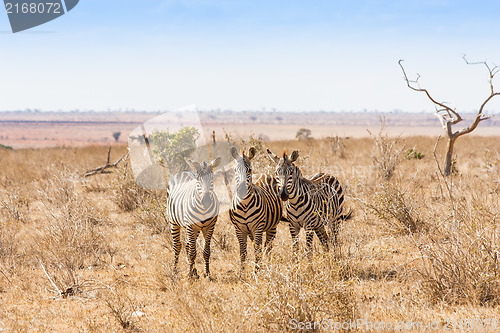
(193, 204)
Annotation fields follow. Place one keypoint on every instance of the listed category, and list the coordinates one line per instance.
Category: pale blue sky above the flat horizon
(284, 55)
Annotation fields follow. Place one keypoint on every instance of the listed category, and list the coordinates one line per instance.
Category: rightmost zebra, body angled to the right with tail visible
(309, 203)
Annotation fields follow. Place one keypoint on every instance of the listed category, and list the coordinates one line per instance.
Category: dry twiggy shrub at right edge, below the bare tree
(461, 259)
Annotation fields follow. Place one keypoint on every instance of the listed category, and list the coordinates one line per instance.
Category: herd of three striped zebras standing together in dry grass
(257, 206)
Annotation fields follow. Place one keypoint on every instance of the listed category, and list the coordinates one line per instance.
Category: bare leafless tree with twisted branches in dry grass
(449, 116)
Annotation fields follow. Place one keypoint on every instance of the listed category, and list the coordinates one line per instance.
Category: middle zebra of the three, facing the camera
(256, 207)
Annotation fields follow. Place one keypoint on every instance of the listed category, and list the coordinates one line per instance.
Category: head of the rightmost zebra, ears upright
(286, 172)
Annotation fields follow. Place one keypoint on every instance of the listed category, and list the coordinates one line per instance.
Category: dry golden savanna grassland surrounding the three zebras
(95, 254)
